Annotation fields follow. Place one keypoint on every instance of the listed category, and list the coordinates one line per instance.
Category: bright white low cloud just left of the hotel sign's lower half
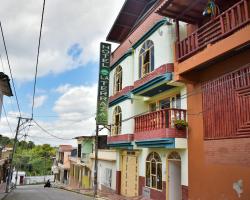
(75, 108)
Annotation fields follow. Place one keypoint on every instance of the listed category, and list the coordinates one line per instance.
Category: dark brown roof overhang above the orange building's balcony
(189, 11)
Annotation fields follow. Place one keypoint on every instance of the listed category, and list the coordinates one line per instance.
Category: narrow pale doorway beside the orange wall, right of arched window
(174, 171)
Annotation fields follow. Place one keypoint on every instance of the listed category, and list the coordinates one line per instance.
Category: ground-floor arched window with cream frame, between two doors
(154, 171)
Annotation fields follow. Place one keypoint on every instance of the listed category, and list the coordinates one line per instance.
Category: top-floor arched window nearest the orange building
(146, 58)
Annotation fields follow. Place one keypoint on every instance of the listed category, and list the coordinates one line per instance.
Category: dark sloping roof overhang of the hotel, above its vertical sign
(130, 14)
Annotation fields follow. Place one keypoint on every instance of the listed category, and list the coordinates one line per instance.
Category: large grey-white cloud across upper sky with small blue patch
(77, 25)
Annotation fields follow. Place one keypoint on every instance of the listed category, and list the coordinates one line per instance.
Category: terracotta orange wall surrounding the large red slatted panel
(216, 164)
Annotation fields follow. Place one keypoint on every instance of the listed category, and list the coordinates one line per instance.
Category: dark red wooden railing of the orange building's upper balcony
(221, 26)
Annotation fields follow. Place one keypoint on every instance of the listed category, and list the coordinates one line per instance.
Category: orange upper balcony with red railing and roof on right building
(210, 37)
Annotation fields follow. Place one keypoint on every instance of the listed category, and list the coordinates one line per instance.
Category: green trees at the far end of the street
(35, 160)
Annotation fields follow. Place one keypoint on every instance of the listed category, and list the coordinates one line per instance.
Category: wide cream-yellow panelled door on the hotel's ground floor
(129, 182)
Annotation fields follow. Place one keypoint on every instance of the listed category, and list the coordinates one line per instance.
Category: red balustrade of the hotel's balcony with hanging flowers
(159, 119)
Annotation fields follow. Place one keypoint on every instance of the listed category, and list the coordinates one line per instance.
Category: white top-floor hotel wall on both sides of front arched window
(163, 40)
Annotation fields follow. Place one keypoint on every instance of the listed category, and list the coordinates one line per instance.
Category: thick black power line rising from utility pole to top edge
(37, 60)
